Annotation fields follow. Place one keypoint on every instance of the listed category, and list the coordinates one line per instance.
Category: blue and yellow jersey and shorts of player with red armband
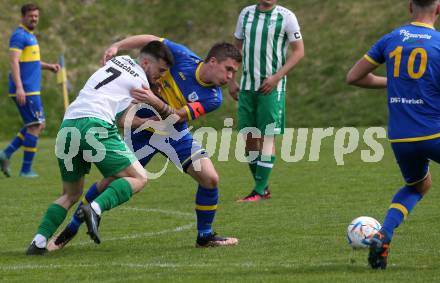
(181, 88)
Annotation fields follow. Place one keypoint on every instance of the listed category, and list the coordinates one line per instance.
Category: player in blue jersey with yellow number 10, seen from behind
(412, 60)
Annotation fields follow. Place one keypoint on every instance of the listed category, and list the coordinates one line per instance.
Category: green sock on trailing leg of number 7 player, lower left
(53, 218)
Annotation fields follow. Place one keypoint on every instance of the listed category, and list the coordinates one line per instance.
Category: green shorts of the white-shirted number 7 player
(81, 142)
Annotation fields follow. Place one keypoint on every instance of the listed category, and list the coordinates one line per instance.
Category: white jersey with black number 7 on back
(107, 92)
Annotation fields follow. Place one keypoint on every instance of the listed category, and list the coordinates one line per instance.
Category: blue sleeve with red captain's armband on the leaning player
(199, 108)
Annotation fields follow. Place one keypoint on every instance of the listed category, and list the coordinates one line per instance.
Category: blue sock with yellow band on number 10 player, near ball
(402, 204)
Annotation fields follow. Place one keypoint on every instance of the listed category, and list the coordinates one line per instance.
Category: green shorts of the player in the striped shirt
(264, 112)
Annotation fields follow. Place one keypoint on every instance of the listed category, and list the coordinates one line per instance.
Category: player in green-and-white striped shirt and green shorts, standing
(263, 33)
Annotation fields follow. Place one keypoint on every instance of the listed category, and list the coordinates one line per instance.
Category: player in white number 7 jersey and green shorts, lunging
(88, 135)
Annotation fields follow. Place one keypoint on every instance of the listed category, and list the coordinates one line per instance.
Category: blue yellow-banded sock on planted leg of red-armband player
(206, 206)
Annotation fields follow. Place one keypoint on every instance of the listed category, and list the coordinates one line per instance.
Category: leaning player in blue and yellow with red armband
(190, 89)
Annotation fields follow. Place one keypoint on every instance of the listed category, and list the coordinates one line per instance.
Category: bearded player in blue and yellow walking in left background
(24, 89)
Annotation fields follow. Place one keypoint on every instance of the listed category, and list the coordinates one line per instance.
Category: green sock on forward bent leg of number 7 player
(118, 192)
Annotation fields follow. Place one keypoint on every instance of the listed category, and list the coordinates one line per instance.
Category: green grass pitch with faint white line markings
(298, 236)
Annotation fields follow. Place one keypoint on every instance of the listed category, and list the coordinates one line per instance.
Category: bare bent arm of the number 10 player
(361, 75)
